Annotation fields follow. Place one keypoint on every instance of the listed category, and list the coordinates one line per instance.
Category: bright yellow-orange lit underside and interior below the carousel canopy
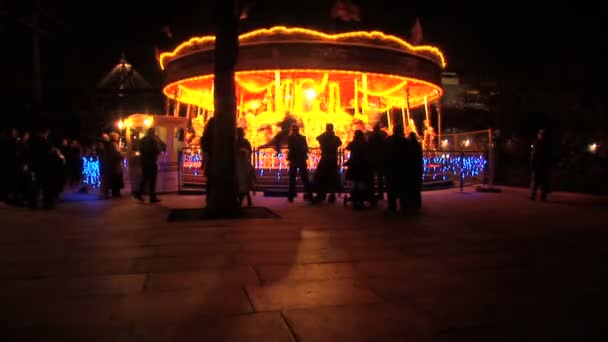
(350, 100)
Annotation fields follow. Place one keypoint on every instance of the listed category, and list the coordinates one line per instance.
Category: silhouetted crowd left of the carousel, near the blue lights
(37, 170)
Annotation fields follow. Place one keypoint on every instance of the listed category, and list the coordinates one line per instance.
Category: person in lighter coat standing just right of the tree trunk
(244, 170)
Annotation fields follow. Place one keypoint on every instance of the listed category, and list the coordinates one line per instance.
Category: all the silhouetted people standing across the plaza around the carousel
(37, 170)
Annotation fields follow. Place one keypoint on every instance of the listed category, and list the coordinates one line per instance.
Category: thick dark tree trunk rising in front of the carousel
(222, 195)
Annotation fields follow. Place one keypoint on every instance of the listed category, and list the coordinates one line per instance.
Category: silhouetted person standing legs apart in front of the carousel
(297, 156)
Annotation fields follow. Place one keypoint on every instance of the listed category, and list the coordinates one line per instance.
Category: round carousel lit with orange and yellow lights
(287, 76)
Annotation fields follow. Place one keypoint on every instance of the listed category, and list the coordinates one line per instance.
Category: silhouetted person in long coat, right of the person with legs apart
(326, 176)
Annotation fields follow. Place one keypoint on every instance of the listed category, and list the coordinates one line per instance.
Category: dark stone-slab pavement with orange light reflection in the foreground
(471, 267)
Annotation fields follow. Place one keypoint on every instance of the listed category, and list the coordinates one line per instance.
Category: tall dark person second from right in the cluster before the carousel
(397, 150)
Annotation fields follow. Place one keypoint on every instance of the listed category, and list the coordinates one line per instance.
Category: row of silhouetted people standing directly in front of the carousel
(378, 163)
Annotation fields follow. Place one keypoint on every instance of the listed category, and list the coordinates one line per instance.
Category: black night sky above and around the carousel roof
(529, 45)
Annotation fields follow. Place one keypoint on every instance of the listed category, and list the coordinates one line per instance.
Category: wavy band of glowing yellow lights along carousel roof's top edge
(355, 38)
